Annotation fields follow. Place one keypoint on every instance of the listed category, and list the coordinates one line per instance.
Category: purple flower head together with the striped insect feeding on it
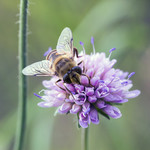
(87, 88)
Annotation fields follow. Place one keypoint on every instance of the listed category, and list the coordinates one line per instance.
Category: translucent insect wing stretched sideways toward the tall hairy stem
(41, 68)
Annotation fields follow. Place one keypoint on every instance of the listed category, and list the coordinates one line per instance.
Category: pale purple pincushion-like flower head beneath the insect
(108, 87)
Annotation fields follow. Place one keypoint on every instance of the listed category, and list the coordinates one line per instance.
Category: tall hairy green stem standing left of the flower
(22, 49)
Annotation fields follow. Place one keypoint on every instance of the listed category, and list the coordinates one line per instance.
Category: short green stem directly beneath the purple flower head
(84, 138)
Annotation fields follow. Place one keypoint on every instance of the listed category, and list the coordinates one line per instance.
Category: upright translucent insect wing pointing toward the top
(65, 42)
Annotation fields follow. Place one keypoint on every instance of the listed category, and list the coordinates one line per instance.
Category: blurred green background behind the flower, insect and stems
(118, 23)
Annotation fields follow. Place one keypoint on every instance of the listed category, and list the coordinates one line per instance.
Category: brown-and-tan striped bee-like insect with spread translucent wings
(59, 62)
